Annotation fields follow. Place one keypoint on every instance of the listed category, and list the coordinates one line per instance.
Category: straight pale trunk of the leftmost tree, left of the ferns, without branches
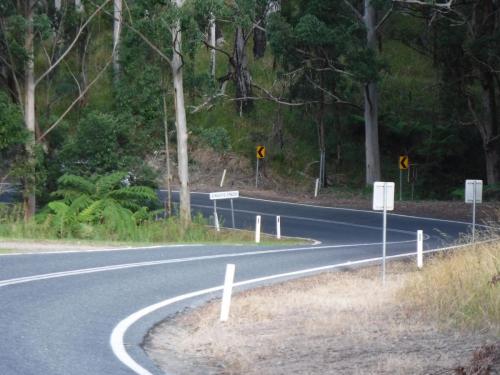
(29, 114)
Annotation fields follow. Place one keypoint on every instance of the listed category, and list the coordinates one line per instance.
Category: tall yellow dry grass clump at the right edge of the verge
(460, 289)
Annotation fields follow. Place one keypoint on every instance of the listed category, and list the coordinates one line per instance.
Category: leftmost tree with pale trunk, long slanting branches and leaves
(26, 30)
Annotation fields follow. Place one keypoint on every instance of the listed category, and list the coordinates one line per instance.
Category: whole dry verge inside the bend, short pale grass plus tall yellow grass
(347, 323)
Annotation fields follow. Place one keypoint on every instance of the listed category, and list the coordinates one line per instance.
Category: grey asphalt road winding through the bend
(58, 310)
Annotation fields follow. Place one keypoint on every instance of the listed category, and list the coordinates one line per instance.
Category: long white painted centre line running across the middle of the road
(53, 275)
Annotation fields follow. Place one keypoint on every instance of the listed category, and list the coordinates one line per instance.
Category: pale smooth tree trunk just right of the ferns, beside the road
(181, 124)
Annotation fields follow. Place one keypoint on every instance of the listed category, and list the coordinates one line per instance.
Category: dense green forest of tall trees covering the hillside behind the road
(334, 88)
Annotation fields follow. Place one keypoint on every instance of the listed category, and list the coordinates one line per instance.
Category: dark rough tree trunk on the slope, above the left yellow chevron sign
(242, 76)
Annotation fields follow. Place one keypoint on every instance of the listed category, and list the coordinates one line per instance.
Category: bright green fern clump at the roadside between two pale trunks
(105, 201)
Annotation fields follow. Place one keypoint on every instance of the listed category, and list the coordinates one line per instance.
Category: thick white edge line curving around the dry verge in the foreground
(118, 334)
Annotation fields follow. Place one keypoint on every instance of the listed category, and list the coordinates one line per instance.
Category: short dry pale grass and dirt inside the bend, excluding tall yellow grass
(334, 323)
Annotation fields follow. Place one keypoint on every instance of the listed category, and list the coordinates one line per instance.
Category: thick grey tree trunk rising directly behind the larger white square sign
(372, 150)
